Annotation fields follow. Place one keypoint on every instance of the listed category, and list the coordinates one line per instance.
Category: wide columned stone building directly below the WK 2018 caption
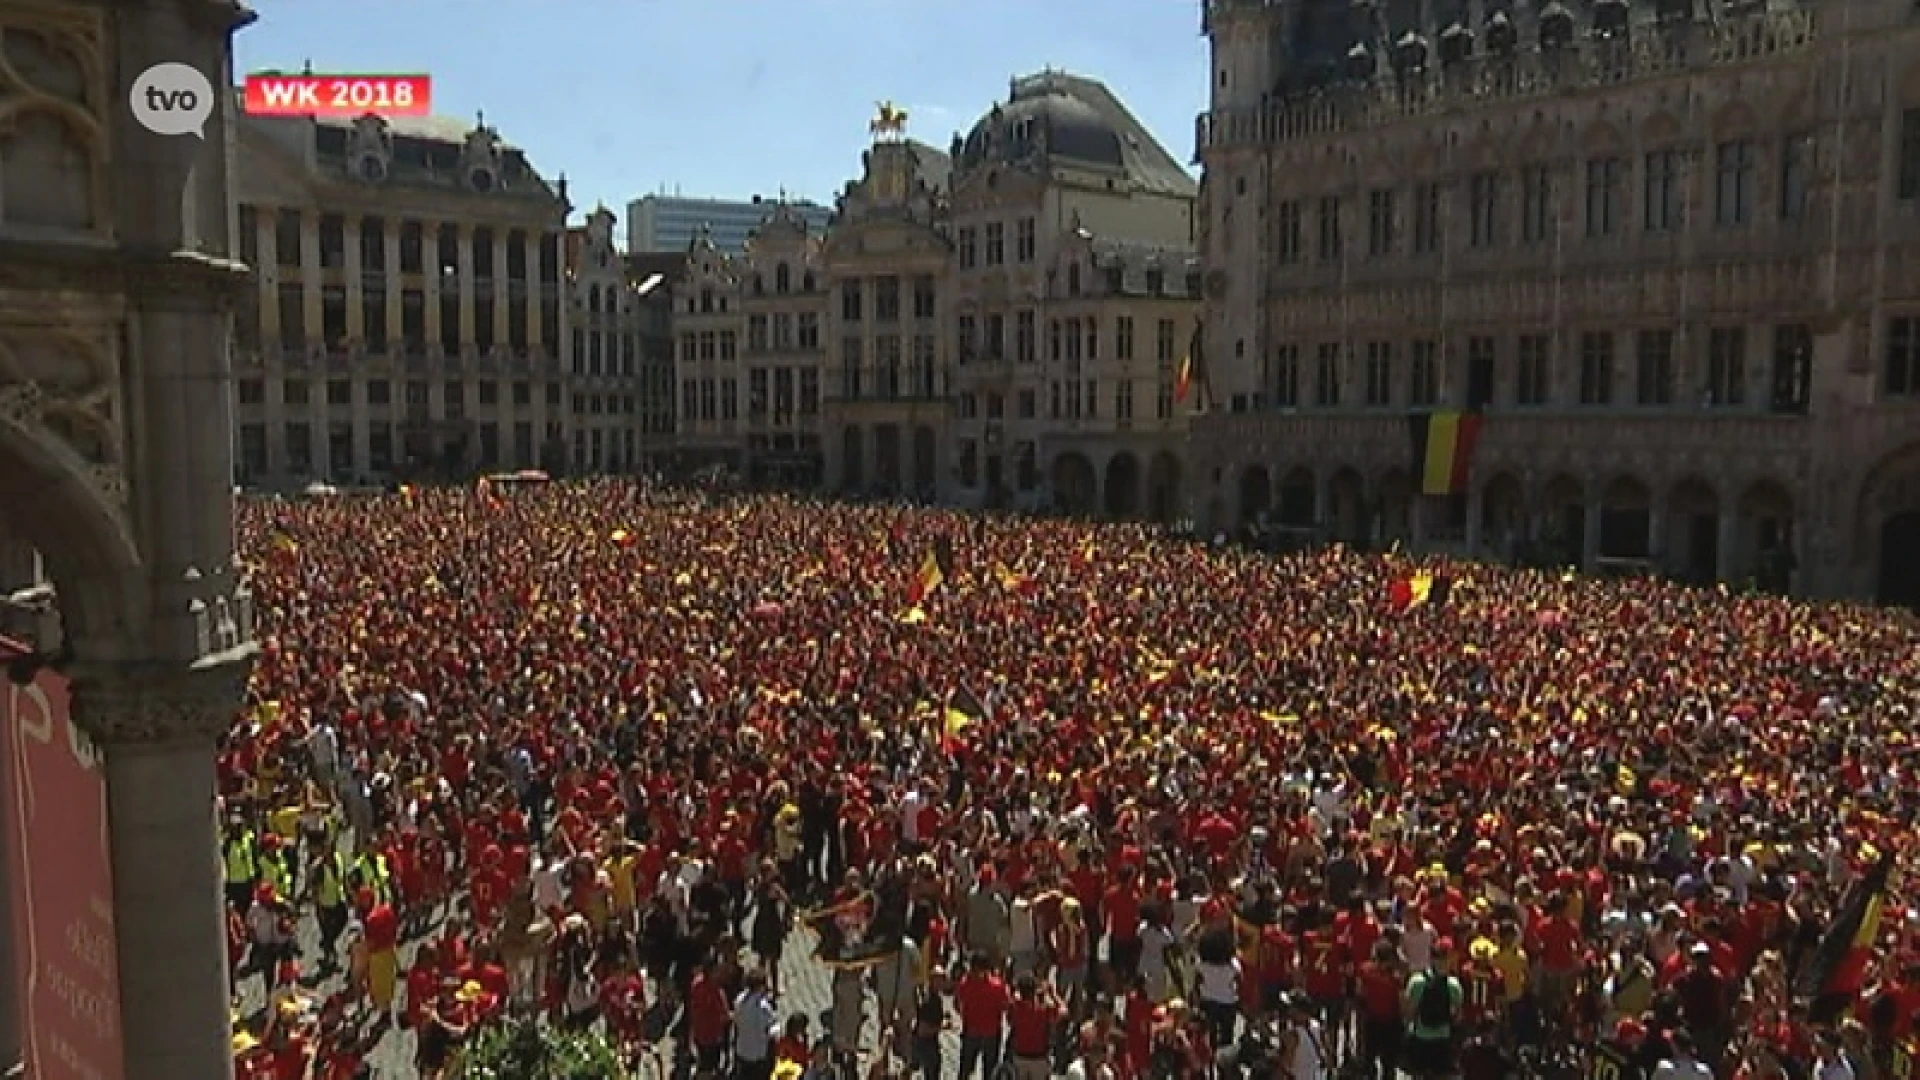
(410, 314)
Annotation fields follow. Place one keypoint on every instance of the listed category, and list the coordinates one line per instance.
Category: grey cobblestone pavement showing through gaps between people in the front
(805, 985)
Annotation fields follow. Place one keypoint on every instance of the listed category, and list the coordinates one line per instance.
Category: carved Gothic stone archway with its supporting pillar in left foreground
(135, 535)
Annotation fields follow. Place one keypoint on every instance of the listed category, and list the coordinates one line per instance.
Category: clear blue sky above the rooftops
(736, 97)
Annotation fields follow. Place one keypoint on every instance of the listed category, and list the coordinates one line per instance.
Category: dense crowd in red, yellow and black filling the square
(1097, 800)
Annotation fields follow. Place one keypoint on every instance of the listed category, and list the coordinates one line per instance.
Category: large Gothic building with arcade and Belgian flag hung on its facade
(1664, 253)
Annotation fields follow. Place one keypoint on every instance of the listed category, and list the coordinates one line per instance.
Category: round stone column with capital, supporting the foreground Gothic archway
(158, 731)
